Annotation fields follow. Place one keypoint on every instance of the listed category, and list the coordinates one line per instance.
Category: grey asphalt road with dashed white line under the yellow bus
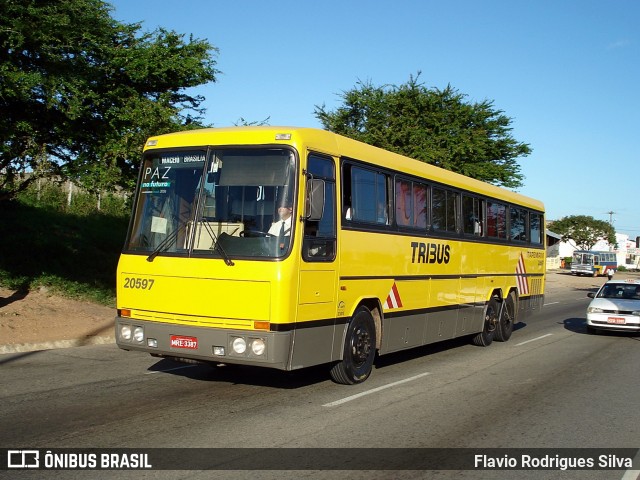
(551, 386)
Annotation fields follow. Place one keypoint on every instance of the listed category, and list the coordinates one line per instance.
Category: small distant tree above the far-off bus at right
(583, 230)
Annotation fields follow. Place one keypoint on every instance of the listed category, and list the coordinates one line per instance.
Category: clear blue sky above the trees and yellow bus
(567, 72)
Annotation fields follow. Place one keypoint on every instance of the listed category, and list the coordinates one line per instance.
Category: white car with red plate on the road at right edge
(616, 306)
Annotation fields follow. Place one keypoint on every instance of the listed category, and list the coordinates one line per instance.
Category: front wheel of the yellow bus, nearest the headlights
(359, 350)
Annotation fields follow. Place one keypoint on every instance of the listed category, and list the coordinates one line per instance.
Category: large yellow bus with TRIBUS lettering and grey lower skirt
(290, 247)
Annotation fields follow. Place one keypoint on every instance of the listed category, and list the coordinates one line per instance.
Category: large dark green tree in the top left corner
(80, 91)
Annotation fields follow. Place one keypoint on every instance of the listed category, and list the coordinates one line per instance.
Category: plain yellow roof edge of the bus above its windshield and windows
(327, 142)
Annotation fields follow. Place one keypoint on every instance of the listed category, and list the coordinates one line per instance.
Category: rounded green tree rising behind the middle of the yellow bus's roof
(435, 126)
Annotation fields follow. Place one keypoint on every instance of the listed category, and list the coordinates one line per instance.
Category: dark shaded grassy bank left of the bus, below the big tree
(74, 255)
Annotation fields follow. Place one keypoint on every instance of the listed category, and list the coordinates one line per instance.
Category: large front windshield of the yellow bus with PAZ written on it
(230, 203)
